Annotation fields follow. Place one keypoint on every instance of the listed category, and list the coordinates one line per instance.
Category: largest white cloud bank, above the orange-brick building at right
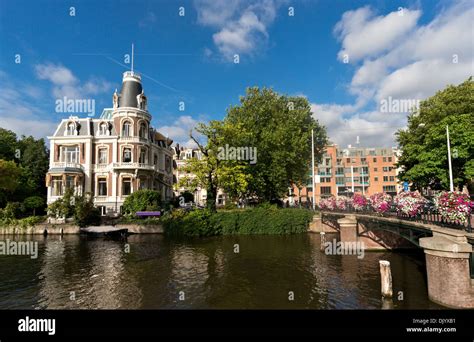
(413, 62)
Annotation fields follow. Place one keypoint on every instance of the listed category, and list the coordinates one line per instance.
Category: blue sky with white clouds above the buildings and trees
(394, 49)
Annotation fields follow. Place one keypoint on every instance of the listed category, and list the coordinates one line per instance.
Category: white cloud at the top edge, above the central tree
(242, 25)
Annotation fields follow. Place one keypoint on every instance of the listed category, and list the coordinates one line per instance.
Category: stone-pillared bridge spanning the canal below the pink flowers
(448, 250)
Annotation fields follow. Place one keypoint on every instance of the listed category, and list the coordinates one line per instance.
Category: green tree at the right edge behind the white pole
(424, 158)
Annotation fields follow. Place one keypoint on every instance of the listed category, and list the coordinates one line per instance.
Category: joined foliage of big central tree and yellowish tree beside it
(278, 127)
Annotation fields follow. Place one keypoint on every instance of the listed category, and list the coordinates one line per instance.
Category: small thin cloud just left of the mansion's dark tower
(65, 83)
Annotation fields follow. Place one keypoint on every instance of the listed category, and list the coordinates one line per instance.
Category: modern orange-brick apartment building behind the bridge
(352, 169)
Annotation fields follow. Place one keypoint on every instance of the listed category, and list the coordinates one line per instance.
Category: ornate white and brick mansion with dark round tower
(113, 156)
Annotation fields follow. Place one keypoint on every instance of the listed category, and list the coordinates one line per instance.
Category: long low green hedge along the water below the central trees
(249, 221)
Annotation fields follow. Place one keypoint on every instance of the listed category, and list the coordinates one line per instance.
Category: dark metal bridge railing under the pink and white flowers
(428, 215)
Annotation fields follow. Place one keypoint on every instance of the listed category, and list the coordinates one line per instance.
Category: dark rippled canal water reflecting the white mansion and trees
(157, 272)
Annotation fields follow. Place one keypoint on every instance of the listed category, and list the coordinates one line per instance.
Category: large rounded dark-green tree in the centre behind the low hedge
(279, 127)
